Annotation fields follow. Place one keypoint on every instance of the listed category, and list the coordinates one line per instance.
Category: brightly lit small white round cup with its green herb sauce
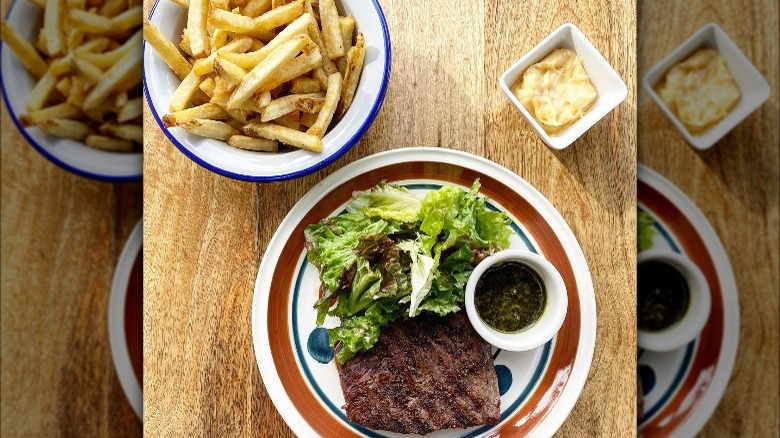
(516, 300)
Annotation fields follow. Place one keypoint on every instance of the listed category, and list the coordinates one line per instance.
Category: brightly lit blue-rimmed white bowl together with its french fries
(264, 90)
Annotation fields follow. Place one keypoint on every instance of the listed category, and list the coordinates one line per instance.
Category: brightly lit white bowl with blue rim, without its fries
(160, 83)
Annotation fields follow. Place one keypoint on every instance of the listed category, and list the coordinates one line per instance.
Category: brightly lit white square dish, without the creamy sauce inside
(609, 86)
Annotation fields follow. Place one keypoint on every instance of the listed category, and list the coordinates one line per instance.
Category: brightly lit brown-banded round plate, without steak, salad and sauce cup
(538, 388)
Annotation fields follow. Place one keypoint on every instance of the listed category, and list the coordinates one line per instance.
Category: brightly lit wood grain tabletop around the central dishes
(205, 234)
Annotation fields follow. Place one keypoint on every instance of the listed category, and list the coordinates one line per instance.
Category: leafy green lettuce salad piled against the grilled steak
(395, 255)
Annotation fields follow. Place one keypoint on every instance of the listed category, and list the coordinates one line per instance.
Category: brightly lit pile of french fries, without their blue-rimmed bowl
(257, 73)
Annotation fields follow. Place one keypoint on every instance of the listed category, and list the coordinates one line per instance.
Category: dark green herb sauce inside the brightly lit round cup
(510, 297)
